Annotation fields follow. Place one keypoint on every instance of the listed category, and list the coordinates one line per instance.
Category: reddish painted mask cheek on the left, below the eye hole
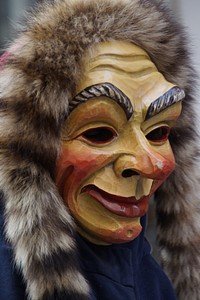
(75, 164)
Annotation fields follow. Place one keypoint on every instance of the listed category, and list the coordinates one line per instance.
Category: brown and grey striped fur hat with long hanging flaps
(37, 81)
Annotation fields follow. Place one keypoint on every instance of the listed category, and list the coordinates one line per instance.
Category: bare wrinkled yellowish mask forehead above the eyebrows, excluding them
(126, 66)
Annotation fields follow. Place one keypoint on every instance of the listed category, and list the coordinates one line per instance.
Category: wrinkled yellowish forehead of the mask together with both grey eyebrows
(125, 73)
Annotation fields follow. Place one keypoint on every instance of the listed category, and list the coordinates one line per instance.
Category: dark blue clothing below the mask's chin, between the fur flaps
(124, 271)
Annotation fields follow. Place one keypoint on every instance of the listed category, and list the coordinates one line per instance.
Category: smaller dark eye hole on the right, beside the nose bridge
(159, 134)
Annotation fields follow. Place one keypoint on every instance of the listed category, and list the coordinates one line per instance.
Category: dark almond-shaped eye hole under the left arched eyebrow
(99, 135)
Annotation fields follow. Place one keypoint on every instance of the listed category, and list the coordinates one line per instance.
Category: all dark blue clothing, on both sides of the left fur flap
(116, 272)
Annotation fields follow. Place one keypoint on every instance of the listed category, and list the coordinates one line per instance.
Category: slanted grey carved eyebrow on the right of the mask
(171, 97)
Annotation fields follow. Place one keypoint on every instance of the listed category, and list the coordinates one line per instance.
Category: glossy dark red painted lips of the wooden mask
(122, 206)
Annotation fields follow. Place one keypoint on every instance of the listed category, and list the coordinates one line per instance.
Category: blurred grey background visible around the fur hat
(186, 11)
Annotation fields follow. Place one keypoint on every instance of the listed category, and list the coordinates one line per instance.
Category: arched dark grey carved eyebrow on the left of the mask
(103, 89)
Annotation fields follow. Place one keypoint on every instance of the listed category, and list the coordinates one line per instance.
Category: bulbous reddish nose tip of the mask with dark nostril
(147, 163)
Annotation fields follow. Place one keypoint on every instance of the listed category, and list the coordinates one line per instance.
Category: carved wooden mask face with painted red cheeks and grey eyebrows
(115, 151)
